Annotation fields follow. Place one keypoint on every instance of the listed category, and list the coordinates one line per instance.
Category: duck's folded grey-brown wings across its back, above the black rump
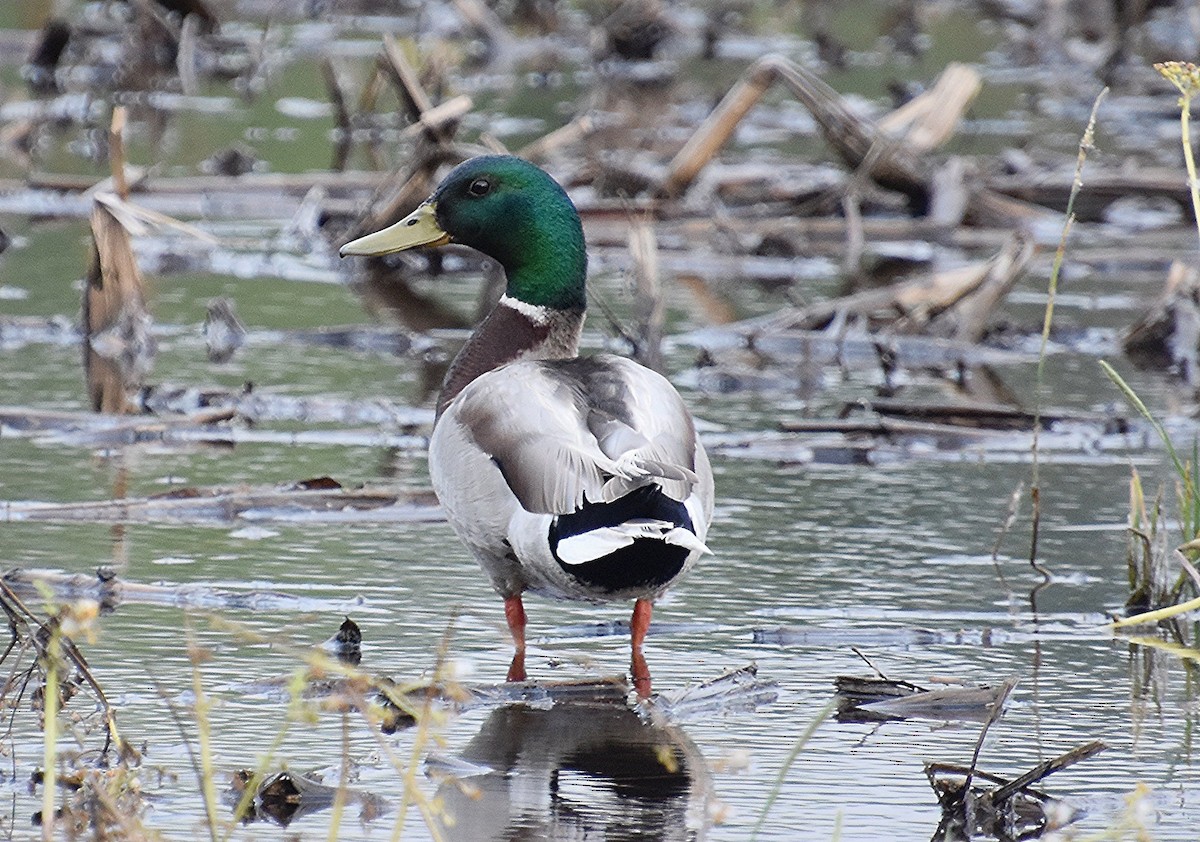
(565, 431)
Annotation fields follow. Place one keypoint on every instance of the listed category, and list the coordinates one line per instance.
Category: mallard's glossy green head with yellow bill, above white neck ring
(509, 210)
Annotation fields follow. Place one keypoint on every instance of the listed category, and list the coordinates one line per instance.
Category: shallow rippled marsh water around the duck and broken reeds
(812, 562)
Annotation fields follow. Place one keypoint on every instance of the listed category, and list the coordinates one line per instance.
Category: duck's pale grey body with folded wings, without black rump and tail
(533, 441)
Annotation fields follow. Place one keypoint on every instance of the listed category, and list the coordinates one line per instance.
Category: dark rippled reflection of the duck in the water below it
(577, 772)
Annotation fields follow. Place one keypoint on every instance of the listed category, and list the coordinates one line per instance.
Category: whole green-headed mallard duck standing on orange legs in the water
(575, 478)
